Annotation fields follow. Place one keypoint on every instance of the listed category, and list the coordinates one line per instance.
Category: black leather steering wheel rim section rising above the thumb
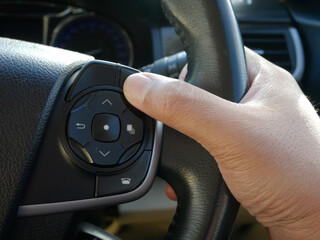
(209, 32)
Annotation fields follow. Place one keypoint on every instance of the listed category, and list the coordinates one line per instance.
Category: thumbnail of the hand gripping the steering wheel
(135, 88)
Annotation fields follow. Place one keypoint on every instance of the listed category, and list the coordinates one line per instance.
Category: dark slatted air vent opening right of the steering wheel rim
(273, 47)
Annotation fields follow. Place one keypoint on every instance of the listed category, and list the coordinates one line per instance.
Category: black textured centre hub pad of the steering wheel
(30, 78)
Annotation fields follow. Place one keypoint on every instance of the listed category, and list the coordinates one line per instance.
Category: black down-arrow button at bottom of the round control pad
(105, 154)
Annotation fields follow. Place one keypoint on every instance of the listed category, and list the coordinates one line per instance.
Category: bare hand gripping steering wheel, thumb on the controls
(267, 146)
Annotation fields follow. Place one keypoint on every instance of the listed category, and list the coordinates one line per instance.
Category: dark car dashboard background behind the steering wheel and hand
(135, 33)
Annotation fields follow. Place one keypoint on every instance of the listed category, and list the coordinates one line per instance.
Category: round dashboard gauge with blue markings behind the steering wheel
(94, 36)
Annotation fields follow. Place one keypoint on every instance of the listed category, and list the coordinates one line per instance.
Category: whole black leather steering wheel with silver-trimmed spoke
(34, 79)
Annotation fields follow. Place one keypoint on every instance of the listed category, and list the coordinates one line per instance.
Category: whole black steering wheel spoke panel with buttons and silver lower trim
(98, 144)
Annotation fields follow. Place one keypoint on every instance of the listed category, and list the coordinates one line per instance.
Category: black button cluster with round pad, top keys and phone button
(106, 136)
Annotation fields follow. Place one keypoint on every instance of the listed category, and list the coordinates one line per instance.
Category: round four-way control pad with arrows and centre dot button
(103, 130)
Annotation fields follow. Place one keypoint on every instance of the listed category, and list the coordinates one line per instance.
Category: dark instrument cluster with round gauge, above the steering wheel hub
(104, 36)
